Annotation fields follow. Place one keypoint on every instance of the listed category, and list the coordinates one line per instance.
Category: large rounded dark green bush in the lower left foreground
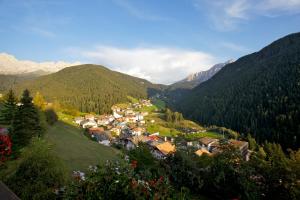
(39, 173)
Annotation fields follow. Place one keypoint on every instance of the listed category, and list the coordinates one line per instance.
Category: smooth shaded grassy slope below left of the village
(75, 149)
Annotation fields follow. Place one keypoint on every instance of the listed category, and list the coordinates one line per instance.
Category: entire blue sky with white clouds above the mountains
(160, 40)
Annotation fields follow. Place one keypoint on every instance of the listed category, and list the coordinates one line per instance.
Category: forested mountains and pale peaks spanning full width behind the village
(258, 93)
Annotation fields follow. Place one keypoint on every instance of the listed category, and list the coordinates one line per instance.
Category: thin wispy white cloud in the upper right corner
(227, 15)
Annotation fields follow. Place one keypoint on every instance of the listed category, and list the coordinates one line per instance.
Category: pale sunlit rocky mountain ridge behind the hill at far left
(11, 65)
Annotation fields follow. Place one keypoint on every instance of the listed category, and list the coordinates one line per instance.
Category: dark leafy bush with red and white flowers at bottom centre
(120, 181)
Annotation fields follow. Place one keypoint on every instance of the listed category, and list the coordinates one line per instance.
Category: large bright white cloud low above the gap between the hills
(157, 64)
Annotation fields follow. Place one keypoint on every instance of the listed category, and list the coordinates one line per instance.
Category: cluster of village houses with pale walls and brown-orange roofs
(127, 127)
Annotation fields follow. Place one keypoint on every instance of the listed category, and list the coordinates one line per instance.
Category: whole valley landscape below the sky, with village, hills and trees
(90, 123)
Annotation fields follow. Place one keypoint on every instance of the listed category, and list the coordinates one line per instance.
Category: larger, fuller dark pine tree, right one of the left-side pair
(26, 123)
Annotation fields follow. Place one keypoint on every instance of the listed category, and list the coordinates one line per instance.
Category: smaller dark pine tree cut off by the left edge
(9, 108)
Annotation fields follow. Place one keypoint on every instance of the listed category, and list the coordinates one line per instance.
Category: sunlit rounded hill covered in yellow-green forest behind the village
(89, 88)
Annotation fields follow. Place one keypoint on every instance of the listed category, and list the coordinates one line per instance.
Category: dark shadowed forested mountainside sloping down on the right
(258, 94)
